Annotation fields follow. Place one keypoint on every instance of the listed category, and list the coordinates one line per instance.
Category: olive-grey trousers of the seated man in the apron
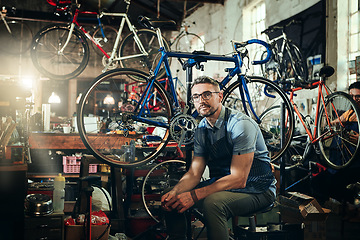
(218, 208)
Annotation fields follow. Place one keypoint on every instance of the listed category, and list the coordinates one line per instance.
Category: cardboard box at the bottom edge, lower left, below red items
(77, 232)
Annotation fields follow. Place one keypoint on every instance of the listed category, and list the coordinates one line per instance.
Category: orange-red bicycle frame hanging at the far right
(312, 134)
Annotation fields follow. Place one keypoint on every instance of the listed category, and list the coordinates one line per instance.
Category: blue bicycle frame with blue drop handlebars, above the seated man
(196, 59)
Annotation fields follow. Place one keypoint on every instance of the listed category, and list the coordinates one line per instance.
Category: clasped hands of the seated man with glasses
(181, 202)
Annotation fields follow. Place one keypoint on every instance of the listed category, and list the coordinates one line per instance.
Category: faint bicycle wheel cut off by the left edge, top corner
(18, 41)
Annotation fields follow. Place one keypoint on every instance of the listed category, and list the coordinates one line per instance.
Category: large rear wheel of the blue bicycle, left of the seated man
(113, 123)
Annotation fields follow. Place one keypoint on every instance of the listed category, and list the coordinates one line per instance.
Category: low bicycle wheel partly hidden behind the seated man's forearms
(161, 177)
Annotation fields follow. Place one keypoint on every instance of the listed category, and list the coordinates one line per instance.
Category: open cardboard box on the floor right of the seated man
(297, 208)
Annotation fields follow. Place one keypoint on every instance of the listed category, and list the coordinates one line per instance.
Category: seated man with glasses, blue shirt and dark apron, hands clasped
(241, 179)
